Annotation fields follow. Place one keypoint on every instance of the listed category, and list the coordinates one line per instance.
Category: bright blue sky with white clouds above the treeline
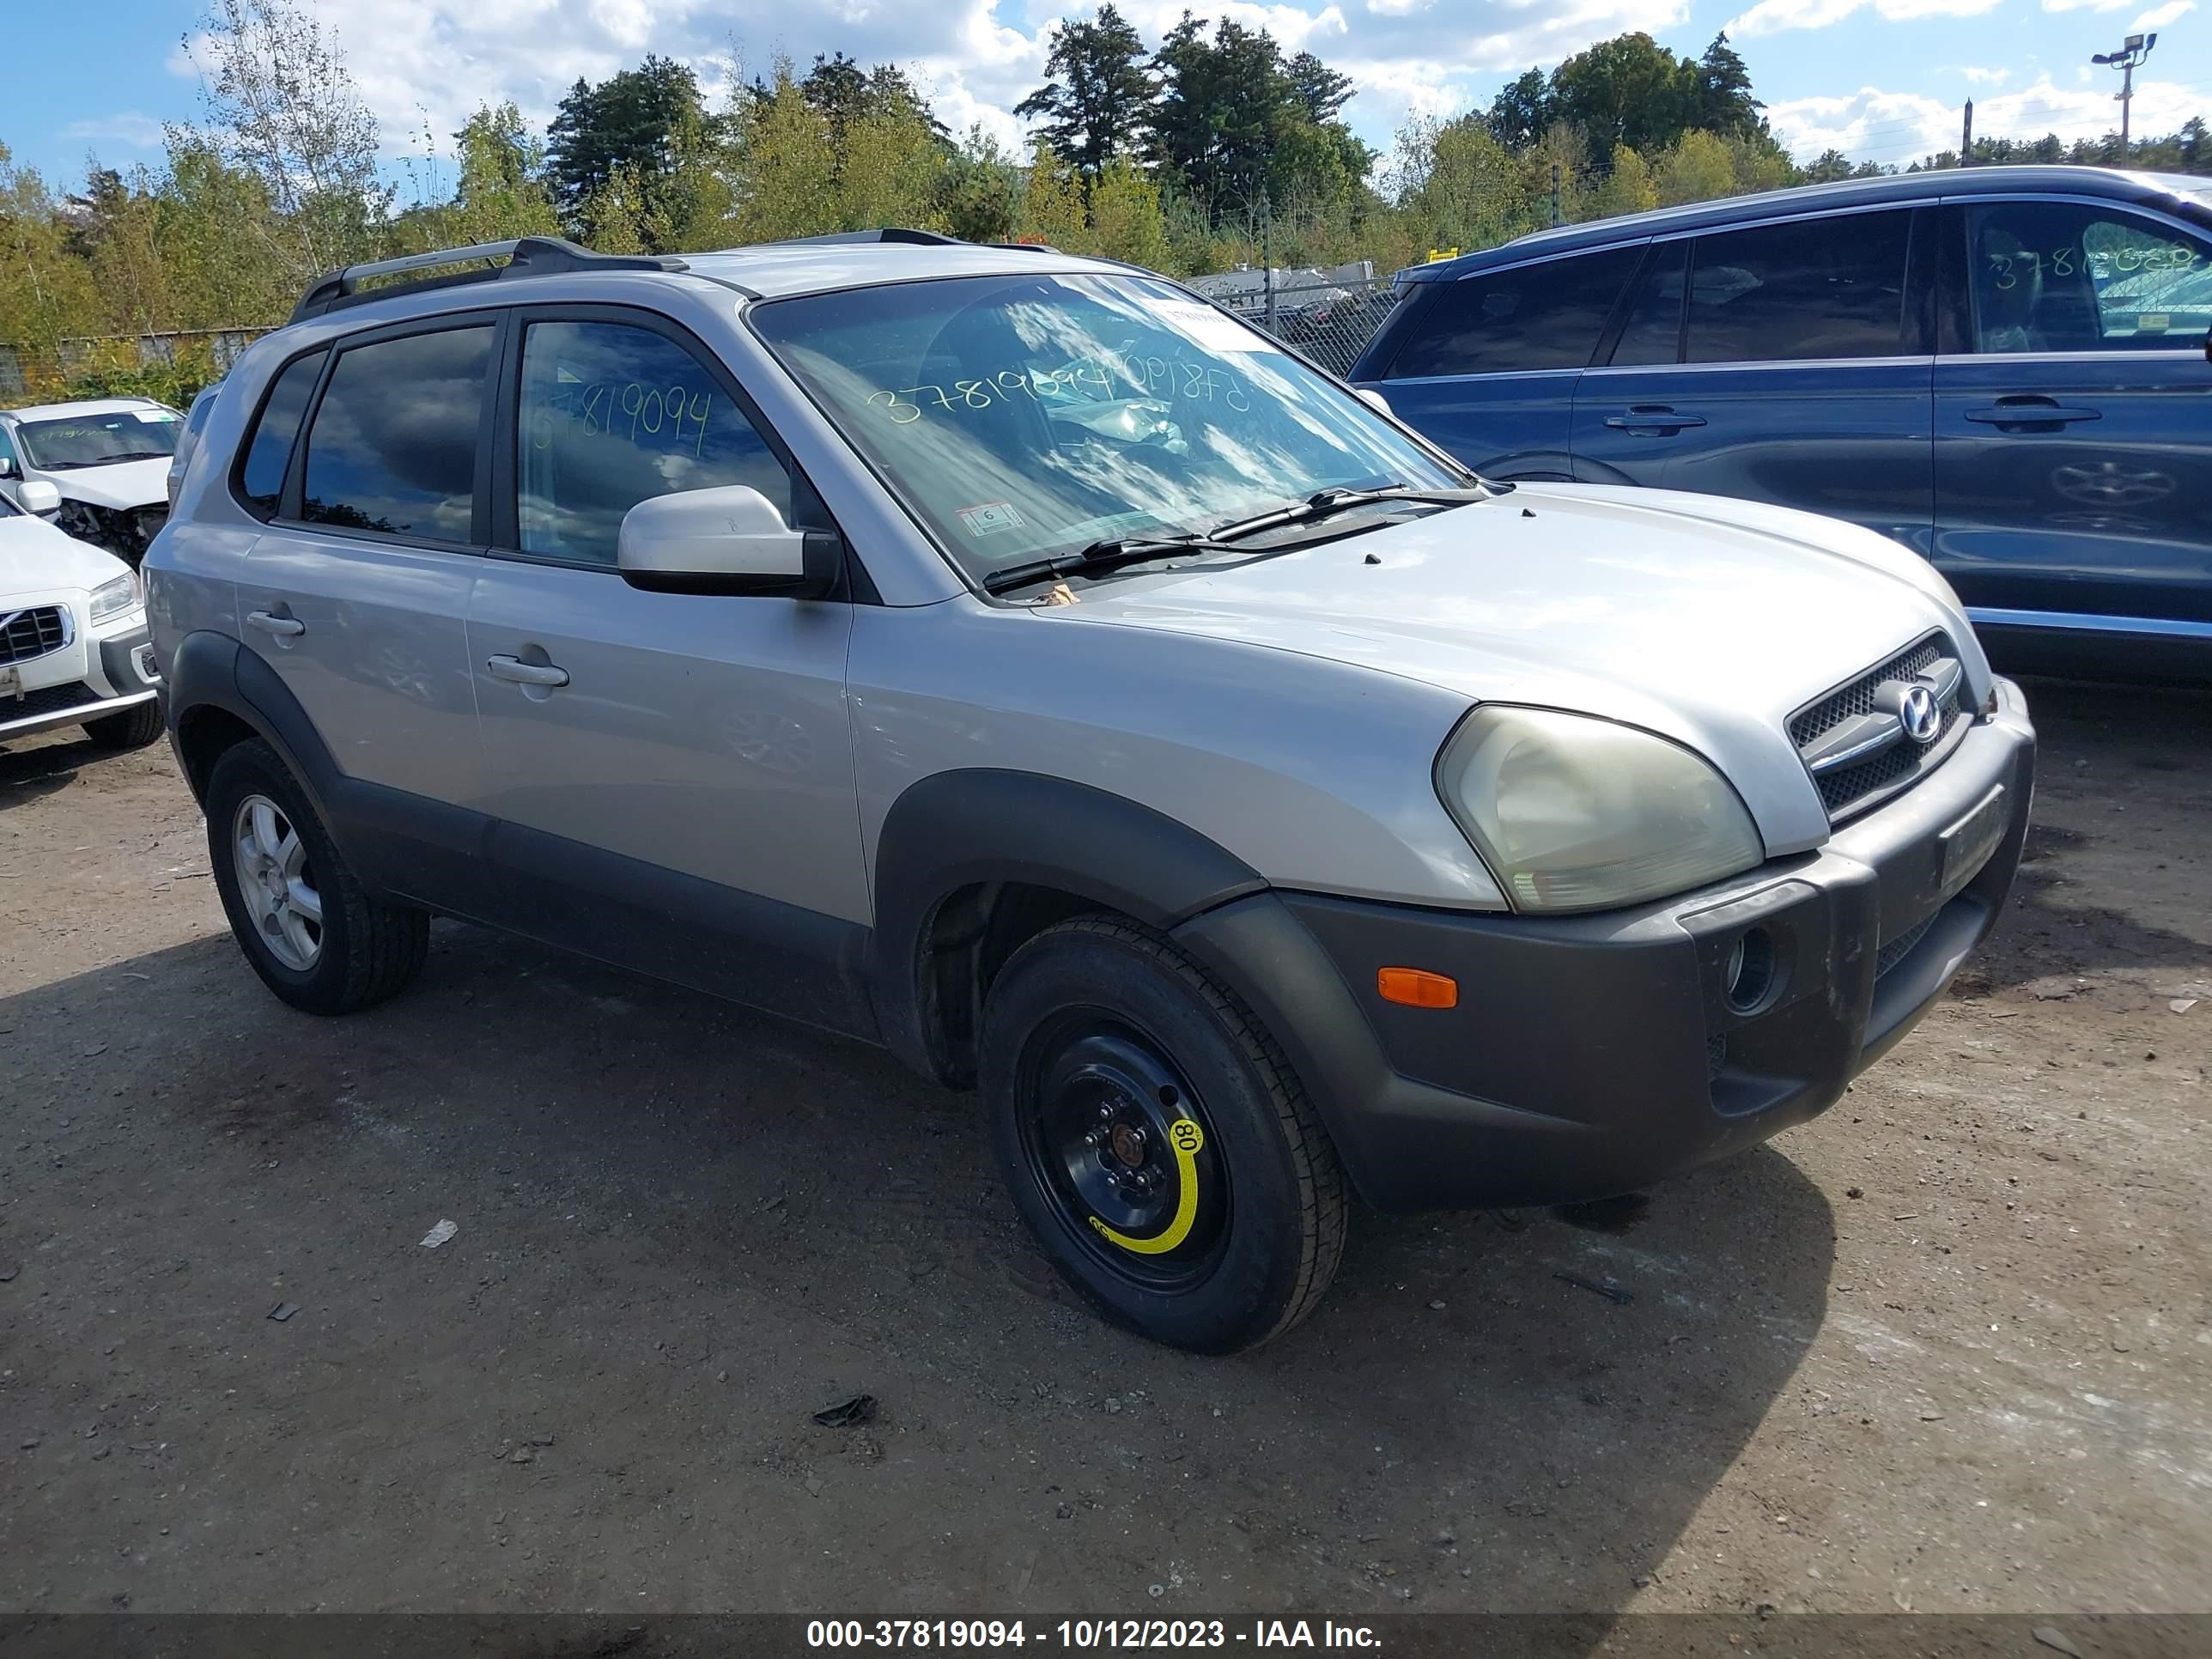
(1877, 79)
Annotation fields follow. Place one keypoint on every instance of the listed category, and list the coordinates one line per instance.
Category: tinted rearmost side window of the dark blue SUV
(1534, 317)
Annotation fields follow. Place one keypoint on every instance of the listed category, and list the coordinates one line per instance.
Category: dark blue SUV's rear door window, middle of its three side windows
(1813, 289)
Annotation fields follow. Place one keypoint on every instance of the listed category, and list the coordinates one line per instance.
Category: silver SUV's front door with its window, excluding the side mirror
(671, 775)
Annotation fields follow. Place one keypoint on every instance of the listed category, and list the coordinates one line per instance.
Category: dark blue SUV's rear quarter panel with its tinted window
(1488, 366)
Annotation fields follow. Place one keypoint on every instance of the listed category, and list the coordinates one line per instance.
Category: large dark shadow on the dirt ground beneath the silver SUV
(682, 1229)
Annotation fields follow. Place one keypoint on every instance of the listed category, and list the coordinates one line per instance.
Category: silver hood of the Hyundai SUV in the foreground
(1698, 618)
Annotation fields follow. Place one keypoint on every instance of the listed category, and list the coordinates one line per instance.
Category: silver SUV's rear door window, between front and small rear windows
(395, 439)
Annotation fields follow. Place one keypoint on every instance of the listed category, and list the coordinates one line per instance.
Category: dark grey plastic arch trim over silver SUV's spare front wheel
(977, 862)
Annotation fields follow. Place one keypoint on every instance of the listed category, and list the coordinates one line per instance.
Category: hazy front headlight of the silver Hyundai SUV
(1576, 813)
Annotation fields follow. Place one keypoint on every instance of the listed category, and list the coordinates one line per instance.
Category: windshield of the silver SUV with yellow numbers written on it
(1027, 417)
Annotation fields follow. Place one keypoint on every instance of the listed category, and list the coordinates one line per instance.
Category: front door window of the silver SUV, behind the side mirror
(614, 415)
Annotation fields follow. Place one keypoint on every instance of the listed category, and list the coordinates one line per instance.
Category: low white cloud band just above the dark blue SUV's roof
(1903, 127)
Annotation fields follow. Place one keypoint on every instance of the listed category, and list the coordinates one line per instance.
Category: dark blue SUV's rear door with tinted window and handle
(1786, 364)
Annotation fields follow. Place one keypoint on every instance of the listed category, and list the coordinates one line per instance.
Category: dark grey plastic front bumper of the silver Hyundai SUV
(1598, 1054)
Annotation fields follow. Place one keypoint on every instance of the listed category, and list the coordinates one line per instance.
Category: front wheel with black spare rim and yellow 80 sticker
(1158, 1142)
